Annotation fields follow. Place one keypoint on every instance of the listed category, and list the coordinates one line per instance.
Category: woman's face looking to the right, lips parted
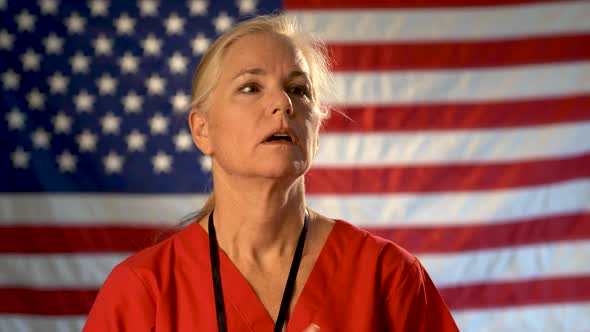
(262, 121)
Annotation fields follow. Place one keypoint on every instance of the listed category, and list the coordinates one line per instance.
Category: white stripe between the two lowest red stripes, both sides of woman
(506, 264)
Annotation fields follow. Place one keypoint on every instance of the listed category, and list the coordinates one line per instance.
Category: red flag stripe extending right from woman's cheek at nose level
(460, 116)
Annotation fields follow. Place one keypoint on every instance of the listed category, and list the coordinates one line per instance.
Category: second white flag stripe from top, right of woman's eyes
(463, 85)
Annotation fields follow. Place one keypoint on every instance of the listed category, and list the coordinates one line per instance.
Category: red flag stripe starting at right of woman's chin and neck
(435, 178)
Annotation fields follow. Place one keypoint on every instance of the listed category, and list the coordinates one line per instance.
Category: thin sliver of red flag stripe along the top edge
(368, 4)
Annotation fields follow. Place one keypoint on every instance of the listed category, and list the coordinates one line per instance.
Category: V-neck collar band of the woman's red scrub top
(238, 293)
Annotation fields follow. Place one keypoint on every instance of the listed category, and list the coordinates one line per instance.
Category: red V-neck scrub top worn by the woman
(359, 283)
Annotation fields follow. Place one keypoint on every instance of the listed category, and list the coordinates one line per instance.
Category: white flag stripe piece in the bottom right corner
(539, 318)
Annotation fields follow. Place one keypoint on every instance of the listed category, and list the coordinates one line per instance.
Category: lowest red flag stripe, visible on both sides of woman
(477, 296)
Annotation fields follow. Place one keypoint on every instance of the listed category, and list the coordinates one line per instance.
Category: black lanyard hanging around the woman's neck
(287, 294)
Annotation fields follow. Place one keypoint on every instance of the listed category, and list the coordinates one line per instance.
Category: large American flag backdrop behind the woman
(468, 144)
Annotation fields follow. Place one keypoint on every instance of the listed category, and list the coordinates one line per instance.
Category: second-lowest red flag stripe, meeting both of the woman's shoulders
(418, 240)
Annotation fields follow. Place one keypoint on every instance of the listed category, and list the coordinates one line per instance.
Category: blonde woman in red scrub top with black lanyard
(256, 255)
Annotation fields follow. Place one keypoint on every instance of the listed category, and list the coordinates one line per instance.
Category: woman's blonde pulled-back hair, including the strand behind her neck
(209, 70)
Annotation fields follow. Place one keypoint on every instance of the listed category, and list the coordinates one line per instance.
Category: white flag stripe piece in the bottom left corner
(34, 323)
